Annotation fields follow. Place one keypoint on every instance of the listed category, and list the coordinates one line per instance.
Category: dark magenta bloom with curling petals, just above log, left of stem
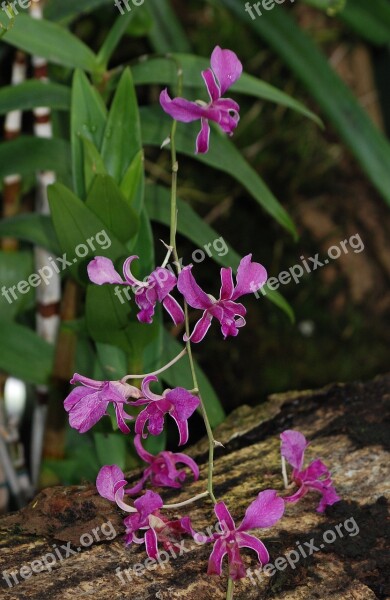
(162, 471)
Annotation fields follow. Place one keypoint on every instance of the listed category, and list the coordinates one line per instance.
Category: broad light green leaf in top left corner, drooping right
(51, 41)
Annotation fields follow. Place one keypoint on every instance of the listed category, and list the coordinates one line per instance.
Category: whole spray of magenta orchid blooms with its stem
(145, 522)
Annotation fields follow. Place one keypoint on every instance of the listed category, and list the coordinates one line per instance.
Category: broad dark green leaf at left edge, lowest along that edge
(24, 354)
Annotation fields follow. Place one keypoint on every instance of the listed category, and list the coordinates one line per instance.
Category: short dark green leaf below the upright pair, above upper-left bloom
(108, 203)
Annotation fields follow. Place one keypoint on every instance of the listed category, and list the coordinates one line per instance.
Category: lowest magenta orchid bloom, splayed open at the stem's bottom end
(265, 511)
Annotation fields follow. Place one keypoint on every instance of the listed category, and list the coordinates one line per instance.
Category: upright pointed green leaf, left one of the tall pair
(88, 120)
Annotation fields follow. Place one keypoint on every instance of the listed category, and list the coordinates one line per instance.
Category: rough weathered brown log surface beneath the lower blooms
(348, 428)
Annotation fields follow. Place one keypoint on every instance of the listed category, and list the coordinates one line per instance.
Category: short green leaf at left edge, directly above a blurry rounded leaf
(34, 228)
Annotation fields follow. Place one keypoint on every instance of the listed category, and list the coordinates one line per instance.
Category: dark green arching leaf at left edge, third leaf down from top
(29, 154)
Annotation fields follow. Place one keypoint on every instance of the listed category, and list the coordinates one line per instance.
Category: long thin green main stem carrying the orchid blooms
(172, 244)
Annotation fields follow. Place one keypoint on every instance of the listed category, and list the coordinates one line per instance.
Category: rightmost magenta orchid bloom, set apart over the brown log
(315, 477)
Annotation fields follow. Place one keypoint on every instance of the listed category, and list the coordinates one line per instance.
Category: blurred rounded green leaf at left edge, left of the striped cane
(16, 294)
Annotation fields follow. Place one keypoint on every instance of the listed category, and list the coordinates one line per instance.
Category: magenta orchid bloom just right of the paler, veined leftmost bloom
(178, 403)
